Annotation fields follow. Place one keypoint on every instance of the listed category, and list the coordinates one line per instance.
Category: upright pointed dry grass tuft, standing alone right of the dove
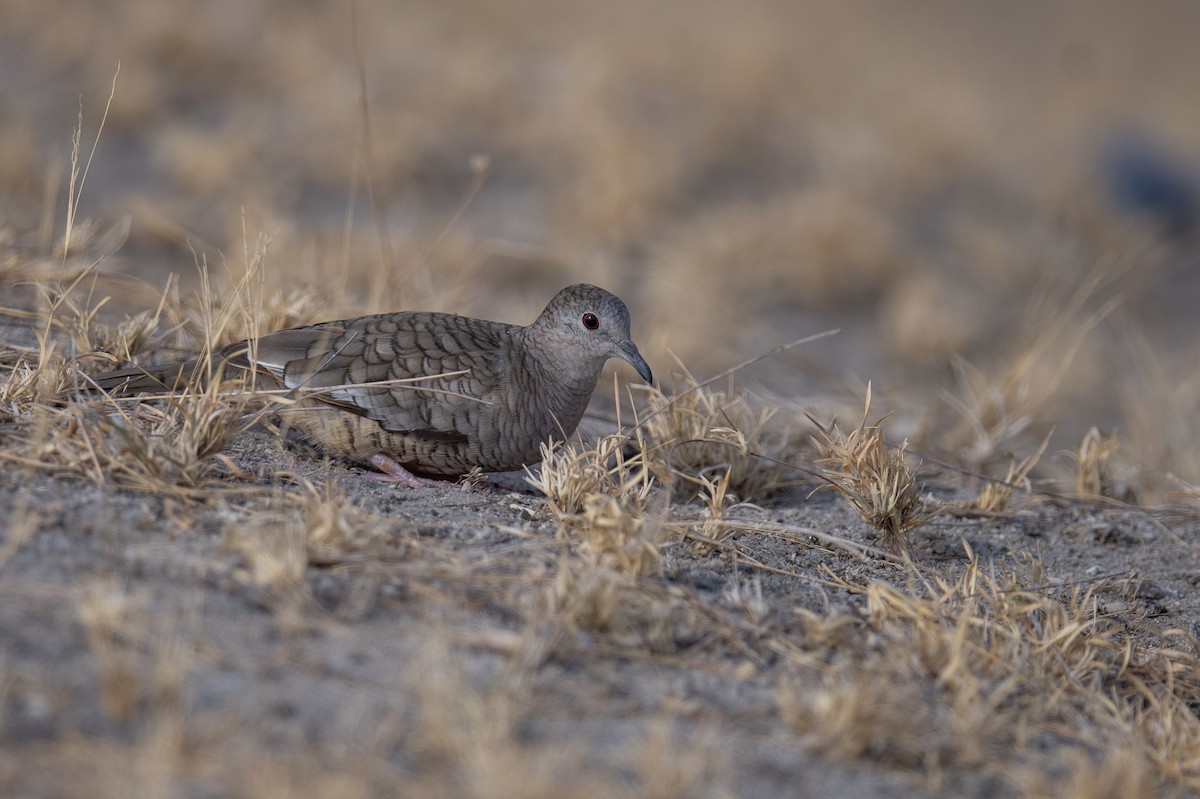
(877, 480)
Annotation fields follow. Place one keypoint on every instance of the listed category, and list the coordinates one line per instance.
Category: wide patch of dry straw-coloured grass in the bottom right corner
(979, 666)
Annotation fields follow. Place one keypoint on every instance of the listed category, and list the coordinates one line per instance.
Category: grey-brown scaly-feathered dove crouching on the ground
(476, 394)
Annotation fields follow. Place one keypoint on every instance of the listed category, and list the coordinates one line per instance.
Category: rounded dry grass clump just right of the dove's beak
(698, 437)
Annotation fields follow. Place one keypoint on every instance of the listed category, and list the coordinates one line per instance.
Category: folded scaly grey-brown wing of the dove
(358, 364)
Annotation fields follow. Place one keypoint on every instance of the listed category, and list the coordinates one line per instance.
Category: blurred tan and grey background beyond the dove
(997, 203)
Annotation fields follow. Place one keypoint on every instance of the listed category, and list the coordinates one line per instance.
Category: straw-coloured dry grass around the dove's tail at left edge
(171, 448)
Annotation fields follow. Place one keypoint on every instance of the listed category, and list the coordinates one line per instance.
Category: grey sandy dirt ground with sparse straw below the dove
(145, 657)
